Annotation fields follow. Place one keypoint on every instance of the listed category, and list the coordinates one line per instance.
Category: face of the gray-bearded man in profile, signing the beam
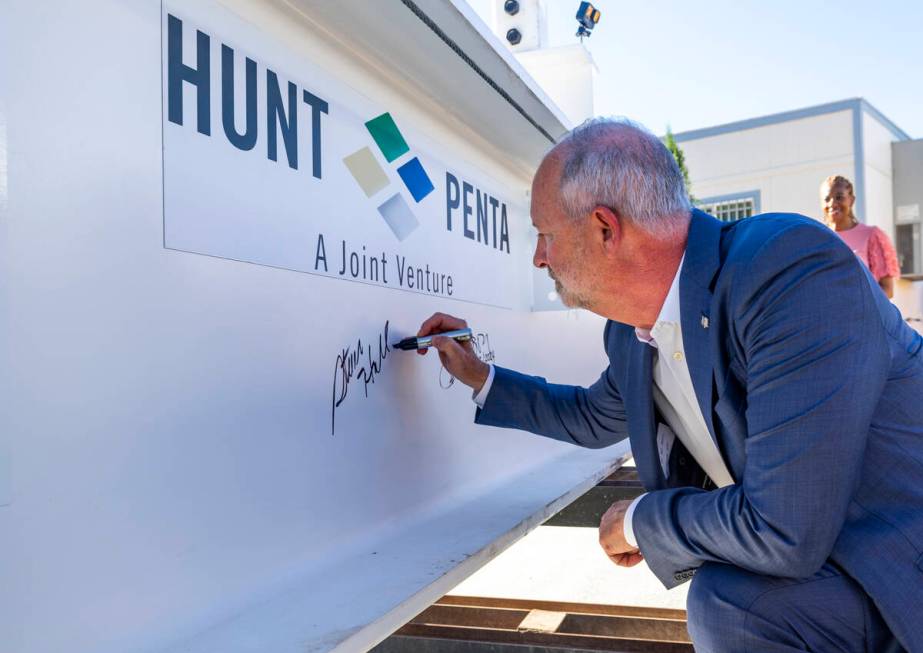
(561, 248)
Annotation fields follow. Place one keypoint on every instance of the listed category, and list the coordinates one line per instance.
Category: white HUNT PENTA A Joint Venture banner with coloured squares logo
(268, 160)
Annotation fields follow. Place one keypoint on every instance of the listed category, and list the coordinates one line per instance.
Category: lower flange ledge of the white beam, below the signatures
(331, 607)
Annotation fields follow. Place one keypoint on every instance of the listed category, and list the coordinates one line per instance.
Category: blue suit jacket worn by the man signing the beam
(811, 385)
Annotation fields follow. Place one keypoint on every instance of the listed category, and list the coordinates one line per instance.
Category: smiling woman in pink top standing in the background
(870, 244)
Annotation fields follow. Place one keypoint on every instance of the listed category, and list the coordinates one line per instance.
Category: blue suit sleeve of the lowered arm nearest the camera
(816, 361)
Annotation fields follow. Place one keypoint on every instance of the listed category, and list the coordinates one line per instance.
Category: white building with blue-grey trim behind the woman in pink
(777, 163)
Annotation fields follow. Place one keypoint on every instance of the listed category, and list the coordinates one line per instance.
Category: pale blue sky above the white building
(697, 64)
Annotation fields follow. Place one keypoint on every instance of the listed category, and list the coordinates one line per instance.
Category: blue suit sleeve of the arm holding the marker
(590, 417)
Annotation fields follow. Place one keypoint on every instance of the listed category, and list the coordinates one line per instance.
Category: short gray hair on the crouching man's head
(617, 163)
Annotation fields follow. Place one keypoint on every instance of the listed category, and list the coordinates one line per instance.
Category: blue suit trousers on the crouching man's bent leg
(735, 611)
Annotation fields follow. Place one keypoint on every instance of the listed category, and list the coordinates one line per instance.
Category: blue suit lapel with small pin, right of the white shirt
(695, 298)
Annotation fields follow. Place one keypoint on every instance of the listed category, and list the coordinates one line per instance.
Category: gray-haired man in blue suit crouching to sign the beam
(773, 397)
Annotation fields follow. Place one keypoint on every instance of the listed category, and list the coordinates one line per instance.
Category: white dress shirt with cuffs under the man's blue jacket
(674, 396)
